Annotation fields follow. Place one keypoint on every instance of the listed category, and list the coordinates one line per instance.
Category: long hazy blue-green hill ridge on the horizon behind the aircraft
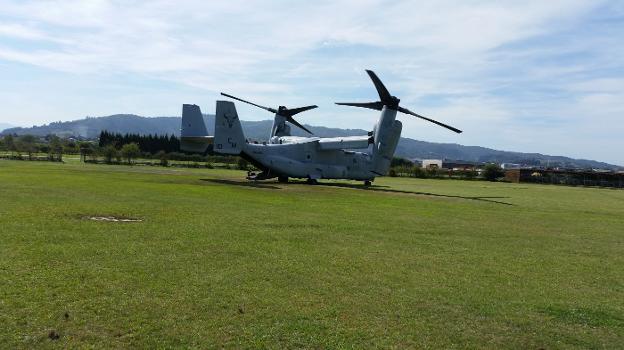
(90, 127)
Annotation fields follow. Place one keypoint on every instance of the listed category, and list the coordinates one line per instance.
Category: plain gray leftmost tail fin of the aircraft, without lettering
(194, 133)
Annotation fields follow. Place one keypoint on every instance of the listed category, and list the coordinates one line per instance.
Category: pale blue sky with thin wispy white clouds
(529, 76)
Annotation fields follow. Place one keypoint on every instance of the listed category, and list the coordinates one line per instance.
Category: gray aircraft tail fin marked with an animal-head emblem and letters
(229, 137)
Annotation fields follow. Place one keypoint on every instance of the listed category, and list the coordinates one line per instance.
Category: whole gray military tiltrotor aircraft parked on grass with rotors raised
(310, 158)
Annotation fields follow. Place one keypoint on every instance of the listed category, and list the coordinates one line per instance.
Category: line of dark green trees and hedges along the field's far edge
(116, 148)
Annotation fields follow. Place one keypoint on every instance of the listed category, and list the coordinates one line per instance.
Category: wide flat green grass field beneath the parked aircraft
(217, 262)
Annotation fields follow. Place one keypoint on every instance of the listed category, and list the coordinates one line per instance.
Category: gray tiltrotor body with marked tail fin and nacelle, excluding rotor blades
(311, 157)
